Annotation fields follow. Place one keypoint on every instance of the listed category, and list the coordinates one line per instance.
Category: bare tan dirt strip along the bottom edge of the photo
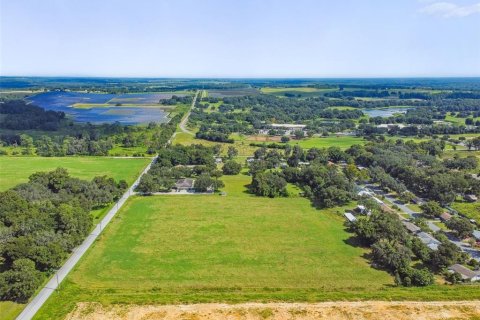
(366, 310)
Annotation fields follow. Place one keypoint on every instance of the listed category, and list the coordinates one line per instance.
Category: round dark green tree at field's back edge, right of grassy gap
(268, 184)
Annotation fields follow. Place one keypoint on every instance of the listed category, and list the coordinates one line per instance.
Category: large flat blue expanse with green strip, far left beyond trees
(134, 113)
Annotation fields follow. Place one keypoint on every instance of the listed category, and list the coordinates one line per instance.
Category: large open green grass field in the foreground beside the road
(233, 248)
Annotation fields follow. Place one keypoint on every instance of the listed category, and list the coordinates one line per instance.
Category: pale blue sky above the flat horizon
(240, 38)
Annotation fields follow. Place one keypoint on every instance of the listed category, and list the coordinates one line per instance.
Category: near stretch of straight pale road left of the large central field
(77, 253)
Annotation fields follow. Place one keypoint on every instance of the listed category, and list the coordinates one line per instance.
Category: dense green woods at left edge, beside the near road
(41, 221)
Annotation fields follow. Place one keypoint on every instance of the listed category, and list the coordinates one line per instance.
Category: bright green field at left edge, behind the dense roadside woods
(15, 170)
